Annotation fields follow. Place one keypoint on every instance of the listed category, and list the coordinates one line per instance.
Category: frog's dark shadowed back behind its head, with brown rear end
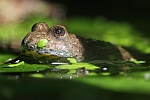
(100, 50)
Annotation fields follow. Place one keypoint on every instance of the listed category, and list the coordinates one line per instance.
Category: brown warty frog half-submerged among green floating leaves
(59, 45)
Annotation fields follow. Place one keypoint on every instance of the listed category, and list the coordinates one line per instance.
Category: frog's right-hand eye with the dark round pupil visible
(57, 31)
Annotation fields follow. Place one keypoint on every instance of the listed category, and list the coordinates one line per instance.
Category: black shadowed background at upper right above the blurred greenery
(136, 12)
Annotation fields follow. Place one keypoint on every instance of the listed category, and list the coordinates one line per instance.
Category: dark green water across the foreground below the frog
(76, 83)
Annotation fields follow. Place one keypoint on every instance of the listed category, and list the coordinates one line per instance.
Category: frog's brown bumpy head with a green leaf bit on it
(49, 43)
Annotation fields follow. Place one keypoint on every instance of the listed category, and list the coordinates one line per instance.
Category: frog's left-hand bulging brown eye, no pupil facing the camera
(41, 26)
